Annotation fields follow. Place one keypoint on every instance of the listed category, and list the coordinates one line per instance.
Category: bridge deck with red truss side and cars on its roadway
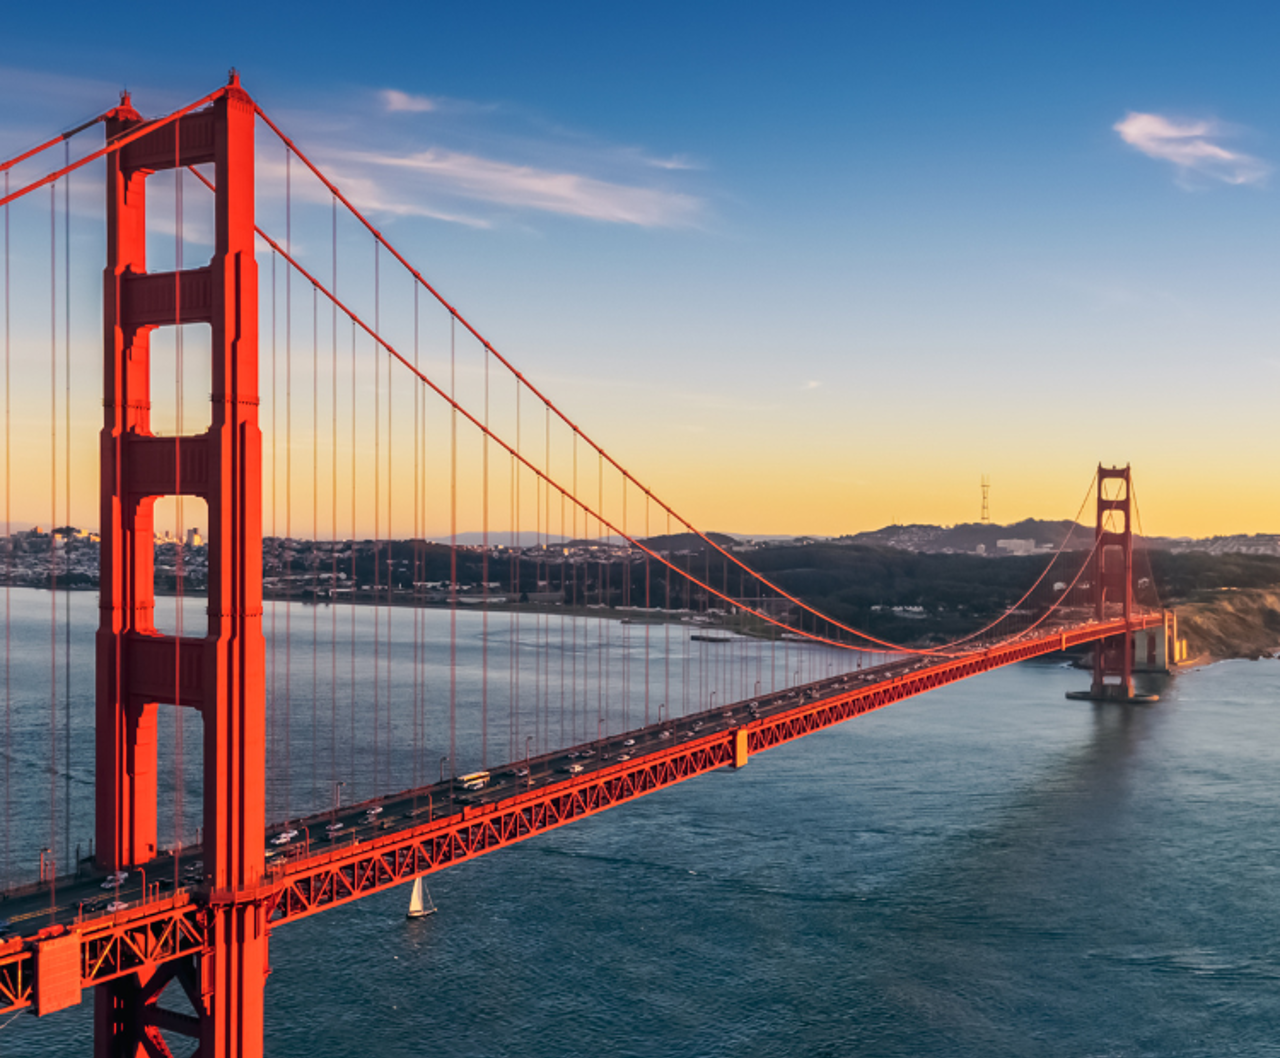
(417, 832)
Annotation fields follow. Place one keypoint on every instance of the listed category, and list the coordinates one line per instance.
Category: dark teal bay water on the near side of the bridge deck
(985, 871)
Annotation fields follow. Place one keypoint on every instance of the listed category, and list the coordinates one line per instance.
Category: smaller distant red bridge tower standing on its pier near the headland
(1113, 589)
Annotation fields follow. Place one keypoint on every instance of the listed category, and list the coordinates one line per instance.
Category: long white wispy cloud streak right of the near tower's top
(531, 187)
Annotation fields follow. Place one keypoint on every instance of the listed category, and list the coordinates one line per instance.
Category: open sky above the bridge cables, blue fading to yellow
(808, 268)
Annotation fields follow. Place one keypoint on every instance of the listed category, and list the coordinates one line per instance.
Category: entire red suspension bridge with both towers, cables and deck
(474, 694)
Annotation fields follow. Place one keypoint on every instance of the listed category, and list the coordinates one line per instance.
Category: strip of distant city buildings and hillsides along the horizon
(577, 571)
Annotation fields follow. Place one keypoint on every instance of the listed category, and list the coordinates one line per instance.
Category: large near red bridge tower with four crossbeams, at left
(221, 675)
